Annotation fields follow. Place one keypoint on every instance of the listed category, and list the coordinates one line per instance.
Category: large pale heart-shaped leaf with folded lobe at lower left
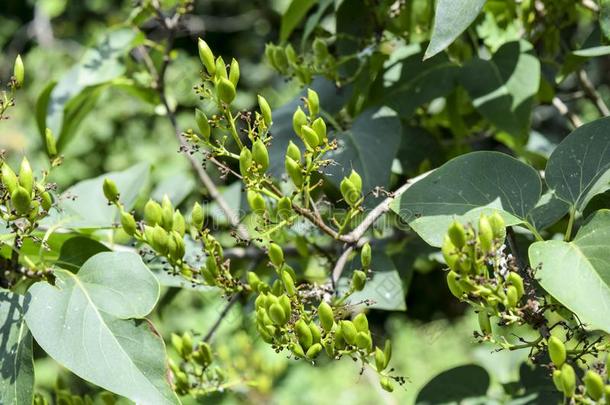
(84, 322)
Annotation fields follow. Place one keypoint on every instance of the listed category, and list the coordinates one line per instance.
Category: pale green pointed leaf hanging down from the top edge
(452, 17)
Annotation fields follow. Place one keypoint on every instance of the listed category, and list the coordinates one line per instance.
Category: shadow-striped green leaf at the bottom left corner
(16, 364)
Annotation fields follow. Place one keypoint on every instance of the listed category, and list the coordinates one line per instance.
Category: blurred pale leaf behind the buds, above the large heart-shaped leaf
(84, 205)
